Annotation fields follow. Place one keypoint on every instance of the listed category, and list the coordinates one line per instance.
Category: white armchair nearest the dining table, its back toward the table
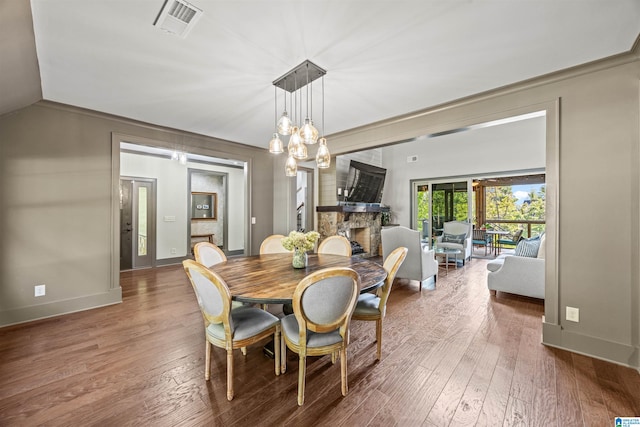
(420, 263)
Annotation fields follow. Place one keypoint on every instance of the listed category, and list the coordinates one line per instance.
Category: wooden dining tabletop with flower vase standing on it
(271, 279)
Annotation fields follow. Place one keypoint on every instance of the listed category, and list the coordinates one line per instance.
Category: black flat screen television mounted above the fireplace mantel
(365, 183)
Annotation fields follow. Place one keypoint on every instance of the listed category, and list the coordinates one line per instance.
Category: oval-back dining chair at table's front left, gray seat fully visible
(226, 327)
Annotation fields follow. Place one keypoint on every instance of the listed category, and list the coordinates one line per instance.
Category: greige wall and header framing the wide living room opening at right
(593, 191)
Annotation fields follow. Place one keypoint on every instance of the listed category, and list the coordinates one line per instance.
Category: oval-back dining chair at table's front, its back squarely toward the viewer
(323, 303)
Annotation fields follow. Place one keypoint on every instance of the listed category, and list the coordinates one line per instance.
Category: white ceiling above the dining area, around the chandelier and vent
(383, 58)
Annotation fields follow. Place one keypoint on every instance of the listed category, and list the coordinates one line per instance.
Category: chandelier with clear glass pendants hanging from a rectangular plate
(293, 82)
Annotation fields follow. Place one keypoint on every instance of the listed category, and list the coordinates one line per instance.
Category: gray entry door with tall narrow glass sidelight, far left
(137, 223)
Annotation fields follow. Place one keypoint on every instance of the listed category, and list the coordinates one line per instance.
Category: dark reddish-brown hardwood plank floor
(451, 356)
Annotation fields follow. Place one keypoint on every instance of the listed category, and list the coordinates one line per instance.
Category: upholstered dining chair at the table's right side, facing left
(373, 307)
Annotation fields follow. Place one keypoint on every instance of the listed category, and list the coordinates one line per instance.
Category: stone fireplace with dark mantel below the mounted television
(357, 223)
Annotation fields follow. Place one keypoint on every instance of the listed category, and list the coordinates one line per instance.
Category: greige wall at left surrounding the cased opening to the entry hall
(56, 211)
